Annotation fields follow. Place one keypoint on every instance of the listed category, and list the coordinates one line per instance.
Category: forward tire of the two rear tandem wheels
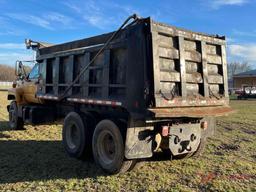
(75, 136)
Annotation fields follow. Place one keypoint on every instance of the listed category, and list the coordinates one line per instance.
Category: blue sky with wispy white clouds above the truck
(61, 21)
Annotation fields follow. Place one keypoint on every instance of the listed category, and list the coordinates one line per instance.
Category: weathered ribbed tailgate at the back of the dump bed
(189, 68)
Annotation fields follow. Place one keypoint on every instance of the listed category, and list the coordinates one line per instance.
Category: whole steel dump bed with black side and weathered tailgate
(150, 69)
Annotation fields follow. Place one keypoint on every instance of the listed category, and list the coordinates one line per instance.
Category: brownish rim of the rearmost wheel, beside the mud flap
(106, 147)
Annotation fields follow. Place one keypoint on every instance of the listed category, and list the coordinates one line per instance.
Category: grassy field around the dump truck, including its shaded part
(34, 160)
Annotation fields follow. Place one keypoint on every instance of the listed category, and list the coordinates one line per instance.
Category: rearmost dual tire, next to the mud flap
(108, 148)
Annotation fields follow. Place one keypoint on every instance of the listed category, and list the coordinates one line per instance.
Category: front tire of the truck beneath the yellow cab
(15, 122)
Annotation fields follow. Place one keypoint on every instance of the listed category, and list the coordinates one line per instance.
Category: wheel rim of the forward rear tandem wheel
(72, 136)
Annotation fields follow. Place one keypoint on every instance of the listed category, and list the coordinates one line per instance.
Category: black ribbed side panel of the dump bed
(115, 78)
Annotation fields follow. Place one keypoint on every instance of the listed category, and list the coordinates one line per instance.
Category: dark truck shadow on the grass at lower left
(41, 160)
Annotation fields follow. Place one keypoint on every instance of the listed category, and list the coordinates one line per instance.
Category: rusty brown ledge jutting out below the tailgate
(192, 111)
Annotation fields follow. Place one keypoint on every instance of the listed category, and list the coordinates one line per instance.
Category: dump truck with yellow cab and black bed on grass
(144, 89)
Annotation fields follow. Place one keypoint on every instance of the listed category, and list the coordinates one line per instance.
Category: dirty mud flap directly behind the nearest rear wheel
(139, 141)
